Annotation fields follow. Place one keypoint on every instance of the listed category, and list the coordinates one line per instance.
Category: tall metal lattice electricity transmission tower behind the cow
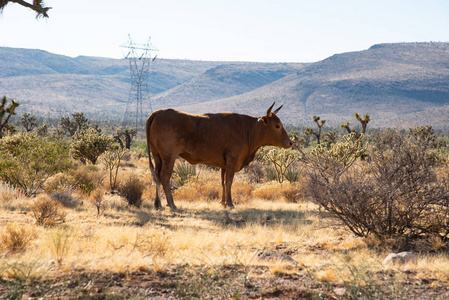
(140, 58)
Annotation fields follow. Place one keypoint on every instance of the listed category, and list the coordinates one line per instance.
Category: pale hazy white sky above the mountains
(228, 30)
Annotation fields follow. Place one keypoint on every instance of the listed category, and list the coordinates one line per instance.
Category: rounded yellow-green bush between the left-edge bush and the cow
(88, 144)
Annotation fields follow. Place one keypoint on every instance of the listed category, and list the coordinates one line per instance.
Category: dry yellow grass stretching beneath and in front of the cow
(201, 233)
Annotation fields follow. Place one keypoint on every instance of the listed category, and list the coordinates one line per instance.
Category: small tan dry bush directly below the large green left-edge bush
(47, 211)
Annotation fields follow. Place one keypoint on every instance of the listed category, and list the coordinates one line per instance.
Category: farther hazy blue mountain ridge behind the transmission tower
(51, 84)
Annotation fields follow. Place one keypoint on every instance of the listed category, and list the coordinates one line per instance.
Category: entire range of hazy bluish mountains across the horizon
(405, 83)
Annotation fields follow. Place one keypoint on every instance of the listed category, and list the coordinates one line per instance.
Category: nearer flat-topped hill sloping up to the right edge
(392, 82)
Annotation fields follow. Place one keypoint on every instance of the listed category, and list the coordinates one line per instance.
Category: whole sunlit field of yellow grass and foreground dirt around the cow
(202, 250)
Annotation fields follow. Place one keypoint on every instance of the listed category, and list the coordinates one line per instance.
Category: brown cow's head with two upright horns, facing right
(274, 132)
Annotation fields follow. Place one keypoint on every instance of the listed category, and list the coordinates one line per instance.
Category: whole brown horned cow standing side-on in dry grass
(225, 140)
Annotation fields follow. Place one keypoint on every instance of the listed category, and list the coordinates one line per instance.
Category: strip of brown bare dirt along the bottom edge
(227, 282)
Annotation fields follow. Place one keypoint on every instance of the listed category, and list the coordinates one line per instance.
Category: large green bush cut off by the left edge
(28, 160)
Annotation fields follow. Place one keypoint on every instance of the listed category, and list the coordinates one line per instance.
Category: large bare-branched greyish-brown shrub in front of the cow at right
(395, 193)
